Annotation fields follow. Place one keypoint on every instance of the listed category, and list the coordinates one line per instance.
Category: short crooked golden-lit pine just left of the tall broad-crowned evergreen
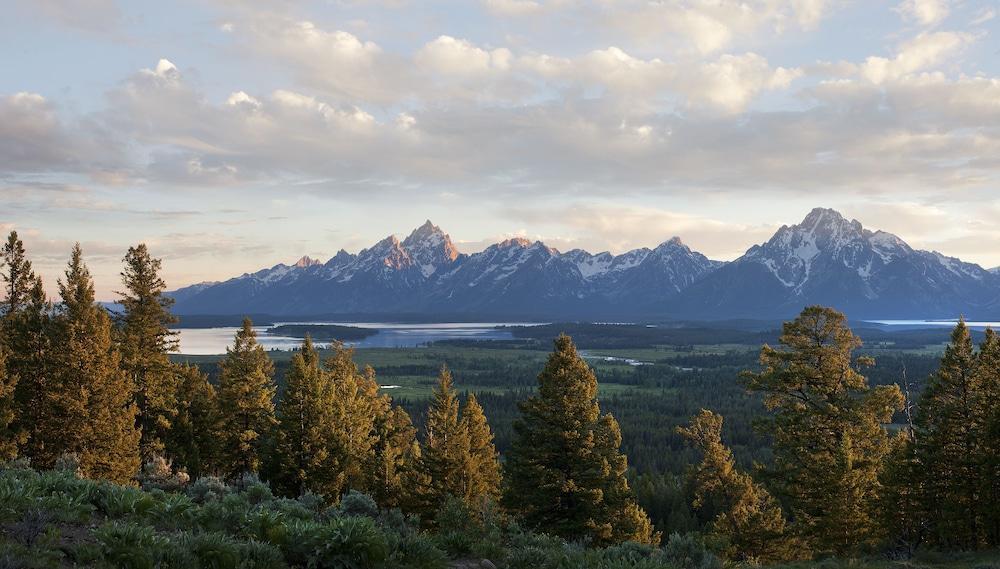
(748, 521)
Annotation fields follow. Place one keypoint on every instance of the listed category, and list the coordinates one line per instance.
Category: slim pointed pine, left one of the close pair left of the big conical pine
(445, 454)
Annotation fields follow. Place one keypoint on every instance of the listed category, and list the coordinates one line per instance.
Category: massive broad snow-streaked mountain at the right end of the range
(830, 260)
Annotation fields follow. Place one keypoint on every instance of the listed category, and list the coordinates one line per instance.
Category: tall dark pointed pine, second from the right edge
(948, 446)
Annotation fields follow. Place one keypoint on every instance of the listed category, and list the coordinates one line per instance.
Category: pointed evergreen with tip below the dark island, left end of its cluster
(304, 438)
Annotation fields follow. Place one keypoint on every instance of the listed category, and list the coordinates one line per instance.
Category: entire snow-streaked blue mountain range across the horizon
(826, 259)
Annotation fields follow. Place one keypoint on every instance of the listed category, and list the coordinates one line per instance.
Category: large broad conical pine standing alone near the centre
(565, 472)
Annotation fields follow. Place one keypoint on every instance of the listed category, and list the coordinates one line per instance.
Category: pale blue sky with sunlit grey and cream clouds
(231, 135)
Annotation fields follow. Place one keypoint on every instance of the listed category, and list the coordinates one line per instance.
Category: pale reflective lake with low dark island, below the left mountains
(207, 341)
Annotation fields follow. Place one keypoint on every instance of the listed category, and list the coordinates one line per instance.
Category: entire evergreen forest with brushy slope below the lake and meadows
(117, 455)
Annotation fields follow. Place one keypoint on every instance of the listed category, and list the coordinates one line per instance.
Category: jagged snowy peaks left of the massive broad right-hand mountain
(424, 273)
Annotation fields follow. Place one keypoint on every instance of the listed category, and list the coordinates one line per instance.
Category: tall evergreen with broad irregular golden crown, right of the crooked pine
(828, 428)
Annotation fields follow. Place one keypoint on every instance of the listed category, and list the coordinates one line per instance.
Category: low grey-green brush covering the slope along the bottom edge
(55, 519)
